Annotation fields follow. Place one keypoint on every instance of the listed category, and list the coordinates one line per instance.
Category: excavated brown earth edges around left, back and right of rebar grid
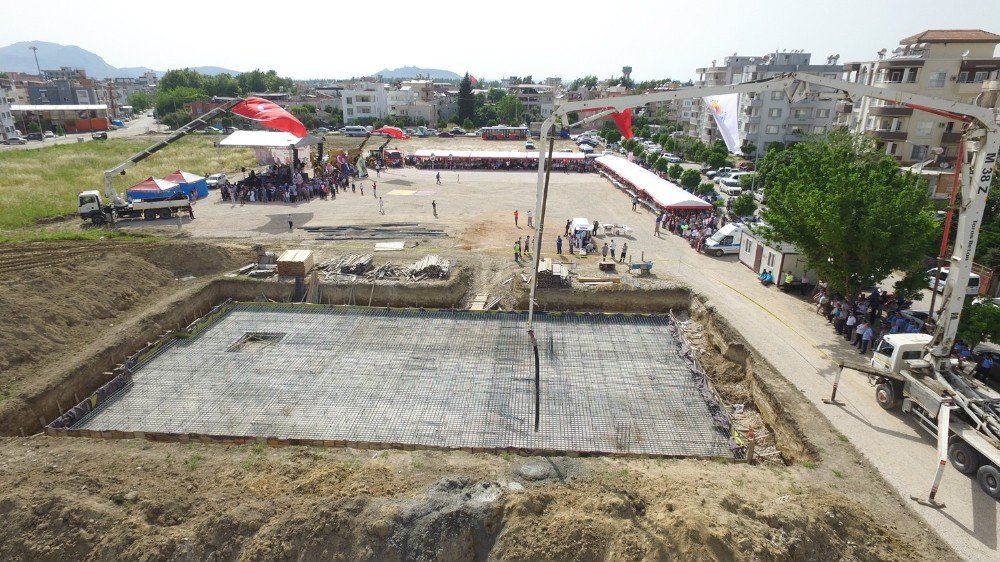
(737, 373)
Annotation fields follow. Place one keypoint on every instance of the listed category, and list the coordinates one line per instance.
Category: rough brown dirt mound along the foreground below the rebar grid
(96, 500)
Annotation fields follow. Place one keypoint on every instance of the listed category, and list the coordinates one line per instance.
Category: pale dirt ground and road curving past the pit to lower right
(476, 208)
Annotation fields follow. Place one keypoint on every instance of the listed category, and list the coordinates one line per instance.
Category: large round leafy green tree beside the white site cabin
(847, 207)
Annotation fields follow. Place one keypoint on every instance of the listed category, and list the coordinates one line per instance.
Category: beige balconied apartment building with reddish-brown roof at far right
(957, 64)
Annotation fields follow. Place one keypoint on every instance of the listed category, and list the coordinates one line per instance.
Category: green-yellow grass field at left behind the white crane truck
(43, 183)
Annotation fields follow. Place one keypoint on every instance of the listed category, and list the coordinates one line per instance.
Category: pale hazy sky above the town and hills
(490, 40)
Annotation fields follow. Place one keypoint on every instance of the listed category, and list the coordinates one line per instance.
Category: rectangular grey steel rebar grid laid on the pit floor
(410, 378)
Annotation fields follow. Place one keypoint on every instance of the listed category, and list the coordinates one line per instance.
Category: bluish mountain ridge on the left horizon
(18, 57)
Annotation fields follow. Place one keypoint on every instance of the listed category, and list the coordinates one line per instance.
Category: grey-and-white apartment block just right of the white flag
(768, 118)
